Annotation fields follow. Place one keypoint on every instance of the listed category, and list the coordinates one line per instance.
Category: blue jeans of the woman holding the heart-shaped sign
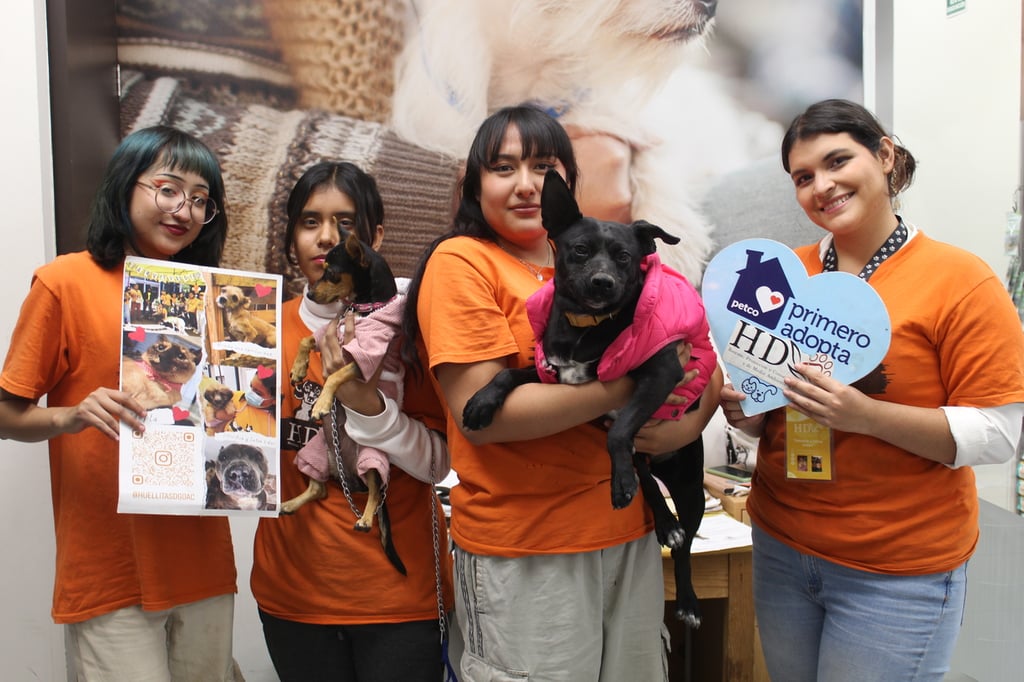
(824, 622)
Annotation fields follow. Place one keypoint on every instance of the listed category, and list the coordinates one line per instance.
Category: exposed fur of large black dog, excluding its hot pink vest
(598, 273)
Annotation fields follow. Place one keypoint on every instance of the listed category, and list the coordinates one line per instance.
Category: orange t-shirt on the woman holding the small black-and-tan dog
(314, 567)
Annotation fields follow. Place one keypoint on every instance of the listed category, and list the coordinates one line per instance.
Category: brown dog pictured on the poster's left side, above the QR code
(155, 379)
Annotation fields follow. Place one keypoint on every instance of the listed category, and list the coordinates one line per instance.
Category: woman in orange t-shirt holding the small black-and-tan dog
(332, 606)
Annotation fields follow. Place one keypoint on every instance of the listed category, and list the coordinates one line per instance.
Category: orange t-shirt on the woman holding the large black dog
(545, 496)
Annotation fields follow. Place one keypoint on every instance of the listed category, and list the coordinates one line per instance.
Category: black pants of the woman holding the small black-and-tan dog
(379, 653)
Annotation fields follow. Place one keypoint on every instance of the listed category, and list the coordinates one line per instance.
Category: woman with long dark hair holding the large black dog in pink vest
(553, 583)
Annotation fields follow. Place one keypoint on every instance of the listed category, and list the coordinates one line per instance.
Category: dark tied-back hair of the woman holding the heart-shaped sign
(842, 116)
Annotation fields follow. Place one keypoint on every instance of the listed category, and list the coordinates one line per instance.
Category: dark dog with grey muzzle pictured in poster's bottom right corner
(237, 479)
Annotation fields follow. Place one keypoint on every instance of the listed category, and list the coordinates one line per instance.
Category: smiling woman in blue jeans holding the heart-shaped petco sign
(864, 577)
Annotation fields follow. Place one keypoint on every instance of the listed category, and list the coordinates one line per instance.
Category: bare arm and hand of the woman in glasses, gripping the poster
(22, 419)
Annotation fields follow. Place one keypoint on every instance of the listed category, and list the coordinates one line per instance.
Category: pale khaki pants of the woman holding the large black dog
(594, 616)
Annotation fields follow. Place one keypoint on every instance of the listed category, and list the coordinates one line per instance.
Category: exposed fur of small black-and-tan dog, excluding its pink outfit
(355, 273)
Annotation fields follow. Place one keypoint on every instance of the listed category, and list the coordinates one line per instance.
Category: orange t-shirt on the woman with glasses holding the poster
(67, 345)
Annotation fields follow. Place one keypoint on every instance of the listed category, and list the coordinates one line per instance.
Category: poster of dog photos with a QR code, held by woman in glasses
(199, 352)
